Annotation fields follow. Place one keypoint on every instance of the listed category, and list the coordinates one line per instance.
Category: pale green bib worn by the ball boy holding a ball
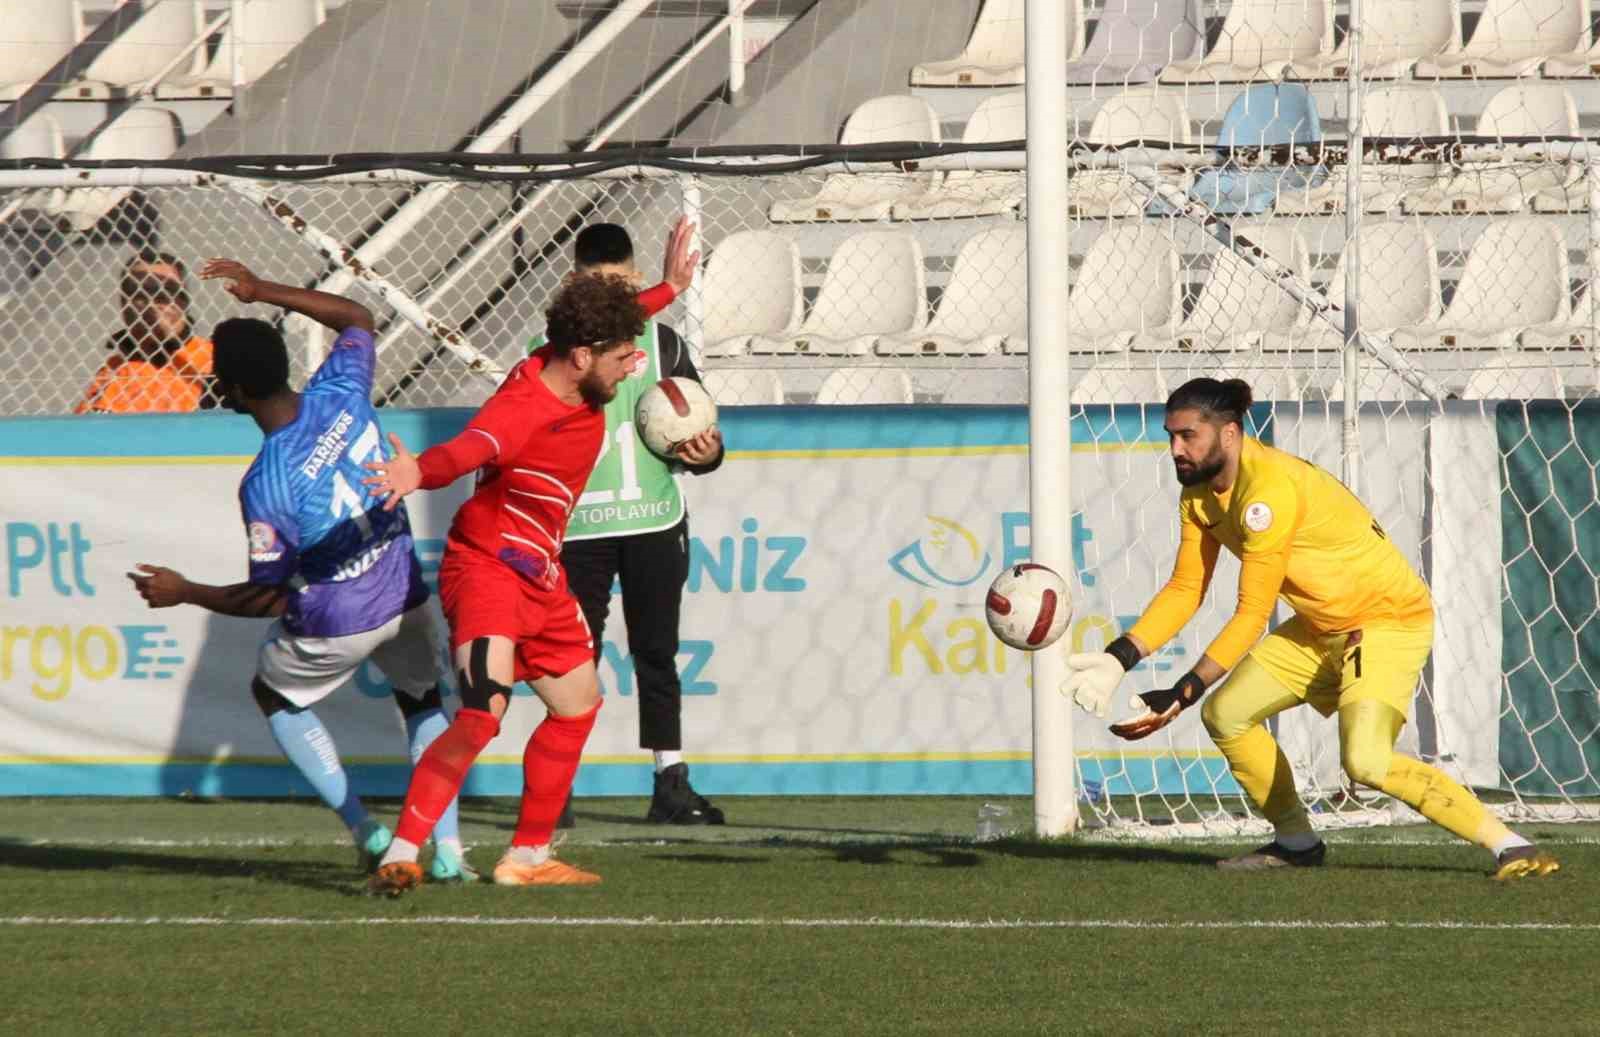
(631, 489)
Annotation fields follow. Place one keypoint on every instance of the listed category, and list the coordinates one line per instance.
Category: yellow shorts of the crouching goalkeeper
(1329, 671)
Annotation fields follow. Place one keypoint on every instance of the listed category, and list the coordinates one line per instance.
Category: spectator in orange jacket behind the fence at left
(158, 362)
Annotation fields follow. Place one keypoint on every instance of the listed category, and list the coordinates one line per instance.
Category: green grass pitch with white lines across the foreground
(802, 916)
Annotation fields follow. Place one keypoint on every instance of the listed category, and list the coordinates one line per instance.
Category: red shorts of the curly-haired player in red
(486, 598)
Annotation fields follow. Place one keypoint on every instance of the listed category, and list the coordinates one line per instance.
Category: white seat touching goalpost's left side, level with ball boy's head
(983, 305)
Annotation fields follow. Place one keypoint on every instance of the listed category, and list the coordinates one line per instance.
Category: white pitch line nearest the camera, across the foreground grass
(807, 924)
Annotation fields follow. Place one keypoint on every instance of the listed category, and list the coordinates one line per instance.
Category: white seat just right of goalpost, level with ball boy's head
(1127, 289)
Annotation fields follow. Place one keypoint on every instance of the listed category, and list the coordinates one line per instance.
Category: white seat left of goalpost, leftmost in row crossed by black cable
(881, 121)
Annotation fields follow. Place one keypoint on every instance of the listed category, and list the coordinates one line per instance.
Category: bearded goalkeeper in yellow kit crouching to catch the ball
(1362, 630)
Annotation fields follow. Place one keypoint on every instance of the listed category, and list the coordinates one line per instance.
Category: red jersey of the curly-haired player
(537, 455)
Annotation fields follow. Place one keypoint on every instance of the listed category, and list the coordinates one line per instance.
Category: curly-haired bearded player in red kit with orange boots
(502, 583)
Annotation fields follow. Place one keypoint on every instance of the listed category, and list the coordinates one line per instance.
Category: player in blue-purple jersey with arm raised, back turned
(337, 571)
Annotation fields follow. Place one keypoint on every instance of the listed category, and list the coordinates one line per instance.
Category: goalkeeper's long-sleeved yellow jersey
(1298, 534)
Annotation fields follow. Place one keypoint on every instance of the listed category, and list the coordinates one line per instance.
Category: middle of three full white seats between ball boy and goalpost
(874, 286)
